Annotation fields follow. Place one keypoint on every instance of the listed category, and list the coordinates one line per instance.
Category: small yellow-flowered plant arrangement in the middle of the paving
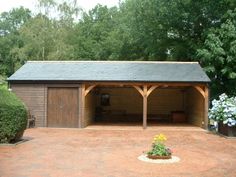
(159, 149)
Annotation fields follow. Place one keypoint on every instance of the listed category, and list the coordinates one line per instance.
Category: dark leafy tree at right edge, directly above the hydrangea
(218, 55)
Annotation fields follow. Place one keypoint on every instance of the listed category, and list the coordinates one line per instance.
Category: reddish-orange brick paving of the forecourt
(112, 151)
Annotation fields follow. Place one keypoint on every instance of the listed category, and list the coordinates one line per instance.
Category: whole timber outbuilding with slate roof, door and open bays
(78, 93)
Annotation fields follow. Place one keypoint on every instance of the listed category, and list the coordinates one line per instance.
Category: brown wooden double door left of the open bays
(62, 107)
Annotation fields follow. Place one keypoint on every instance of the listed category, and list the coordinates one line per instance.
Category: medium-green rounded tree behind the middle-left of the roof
(97, 36)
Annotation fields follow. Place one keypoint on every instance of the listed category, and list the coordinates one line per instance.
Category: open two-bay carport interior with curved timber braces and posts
(145, 104)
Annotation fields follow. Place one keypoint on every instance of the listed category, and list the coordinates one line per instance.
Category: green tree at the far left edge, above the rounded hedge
(10, 41)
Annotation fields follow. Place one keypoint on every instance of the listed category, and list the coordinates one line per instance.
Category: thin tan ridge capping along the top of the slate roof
(108, 61)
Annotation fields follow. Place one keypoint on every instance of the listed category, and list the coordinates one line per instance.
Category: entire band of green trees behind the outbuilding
(172, 30)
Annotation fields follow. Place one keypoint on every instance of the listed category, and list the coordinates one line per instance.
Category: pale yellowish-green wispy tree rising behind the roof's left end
(47, 37)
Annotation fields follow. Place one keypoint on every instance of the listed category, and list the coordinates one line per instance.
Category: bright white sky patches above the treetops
(6, 5)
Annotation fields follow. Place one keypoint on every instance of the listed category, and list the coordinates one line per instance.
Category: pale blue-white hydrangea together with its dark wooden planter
(223, 111)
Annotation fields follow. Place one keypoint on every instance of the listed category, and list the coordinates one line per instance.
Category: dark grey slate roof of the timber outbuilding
(110, 71)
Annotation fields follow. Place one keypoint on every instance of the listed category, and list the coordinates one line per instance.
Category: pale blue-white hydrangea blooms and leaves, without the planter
(224, 109)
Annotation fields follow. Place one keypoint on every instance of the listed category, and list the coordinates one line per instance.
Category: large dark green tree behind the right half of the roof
(171, 30)
